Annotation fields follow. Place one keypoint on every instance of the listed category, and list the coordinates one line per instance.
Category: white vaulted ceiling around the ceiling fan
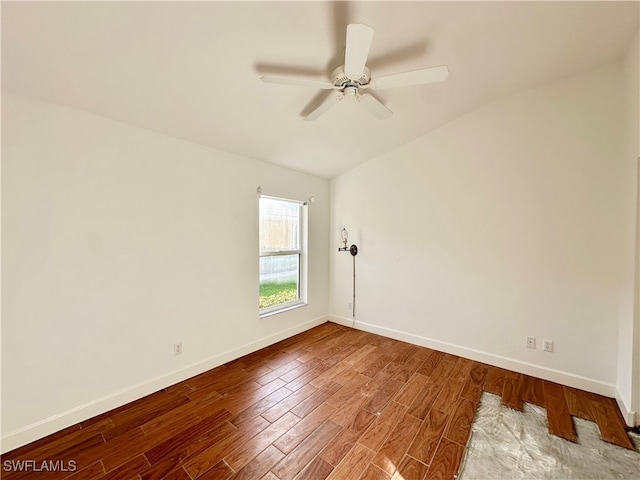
(191, 69)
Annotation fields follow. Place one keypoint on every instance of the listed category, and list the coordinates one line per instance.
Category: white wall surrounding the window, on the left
(118, 242)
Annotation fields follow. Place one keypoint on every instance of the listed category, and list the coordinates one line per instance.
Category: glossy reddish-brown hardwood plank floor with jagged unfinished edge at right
(330, 403)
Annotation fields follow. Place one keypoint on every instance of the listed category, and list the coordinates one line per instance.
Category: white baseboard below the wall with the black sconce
(565, 378)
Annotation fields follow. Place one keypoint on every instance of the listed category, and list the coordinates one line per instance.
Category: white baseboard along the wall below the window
(50, 425)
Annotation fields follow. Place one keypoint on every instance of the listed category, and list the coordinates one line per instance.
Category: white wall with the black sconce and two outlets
(512, 220)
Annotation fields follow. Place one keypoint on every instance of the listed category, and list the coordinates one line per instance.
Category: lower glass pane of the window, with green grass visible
(279, 279)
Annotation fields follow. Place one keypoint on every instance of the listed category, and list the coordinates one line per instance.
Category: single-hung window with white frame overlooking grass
(282, 258)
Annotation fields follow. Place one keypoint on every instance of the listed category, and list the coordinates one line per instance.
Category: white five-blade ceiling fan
(353, 79)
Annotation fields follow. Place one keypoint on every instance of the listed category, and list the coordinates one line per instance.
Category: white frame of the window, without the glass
(302, 260)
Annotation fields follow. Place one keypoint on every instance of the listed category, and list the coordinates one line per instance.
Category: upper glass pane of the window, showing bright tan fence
(279, 225)
